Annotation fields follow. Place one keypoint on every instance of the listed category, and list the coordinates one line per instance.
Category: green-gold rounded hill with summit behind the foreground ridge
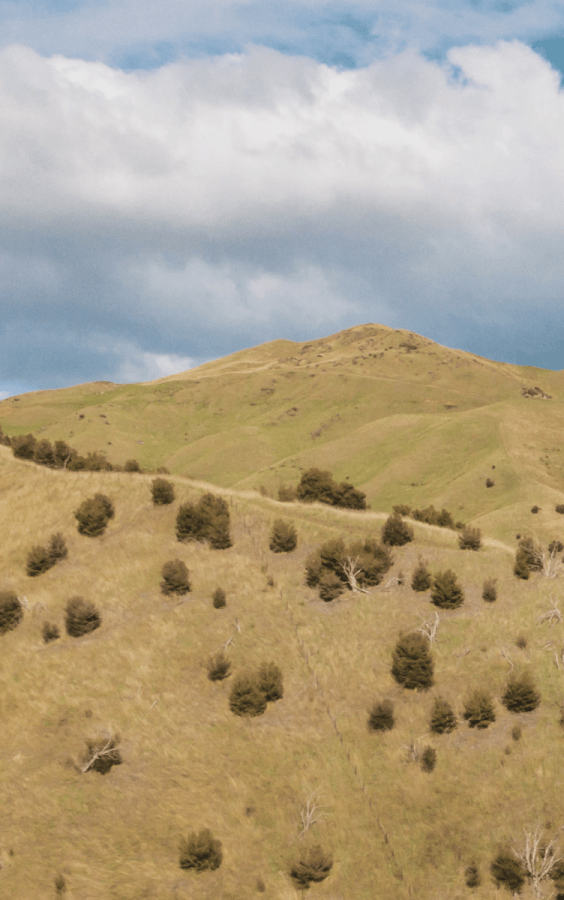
(403, 418)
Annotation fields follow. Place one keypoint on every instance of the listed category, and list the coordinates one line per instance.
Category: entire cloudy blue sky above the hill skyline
(181, 180)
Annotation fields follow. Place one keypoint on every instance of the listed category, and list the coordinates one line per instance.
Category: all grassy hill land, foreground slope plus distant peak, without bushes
(408, 423)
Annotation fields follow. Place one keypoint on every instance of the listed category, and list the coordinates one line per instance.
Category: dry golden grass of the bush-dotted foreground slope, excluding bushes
(394, 831)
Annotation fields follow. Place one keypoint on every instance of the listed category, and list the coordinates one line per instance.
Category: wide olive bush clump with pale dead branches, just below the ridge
(329, 567)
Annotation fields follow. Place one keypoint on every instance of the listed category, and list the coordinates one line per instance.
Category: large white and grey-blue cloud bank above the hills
(215, 203)
